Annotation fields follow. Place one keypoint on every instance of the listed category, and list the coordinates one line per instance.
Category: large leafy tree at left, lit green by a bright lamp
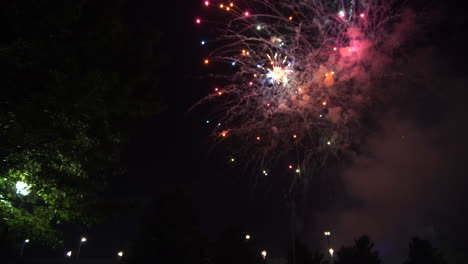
(74, 76)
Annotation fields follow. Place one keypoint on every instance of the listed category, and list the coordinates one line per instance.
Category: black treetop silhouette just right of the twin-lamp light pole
(361, 253)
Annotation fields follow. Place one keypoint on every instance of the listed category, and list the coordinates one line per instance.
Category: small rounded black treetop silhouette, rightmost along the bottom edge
(422, 252)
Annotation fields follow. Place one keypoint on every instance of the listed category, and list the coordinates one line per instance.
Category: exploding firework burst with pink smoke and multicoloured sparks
(305, 74)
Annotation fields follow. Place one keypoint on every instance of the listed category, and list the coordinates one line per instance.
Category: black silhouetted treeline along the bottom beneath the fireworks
(169, 234)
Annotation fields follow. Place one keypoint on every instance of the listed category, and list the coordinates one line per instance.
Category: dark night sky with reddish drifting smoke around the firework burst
(409, 178)
